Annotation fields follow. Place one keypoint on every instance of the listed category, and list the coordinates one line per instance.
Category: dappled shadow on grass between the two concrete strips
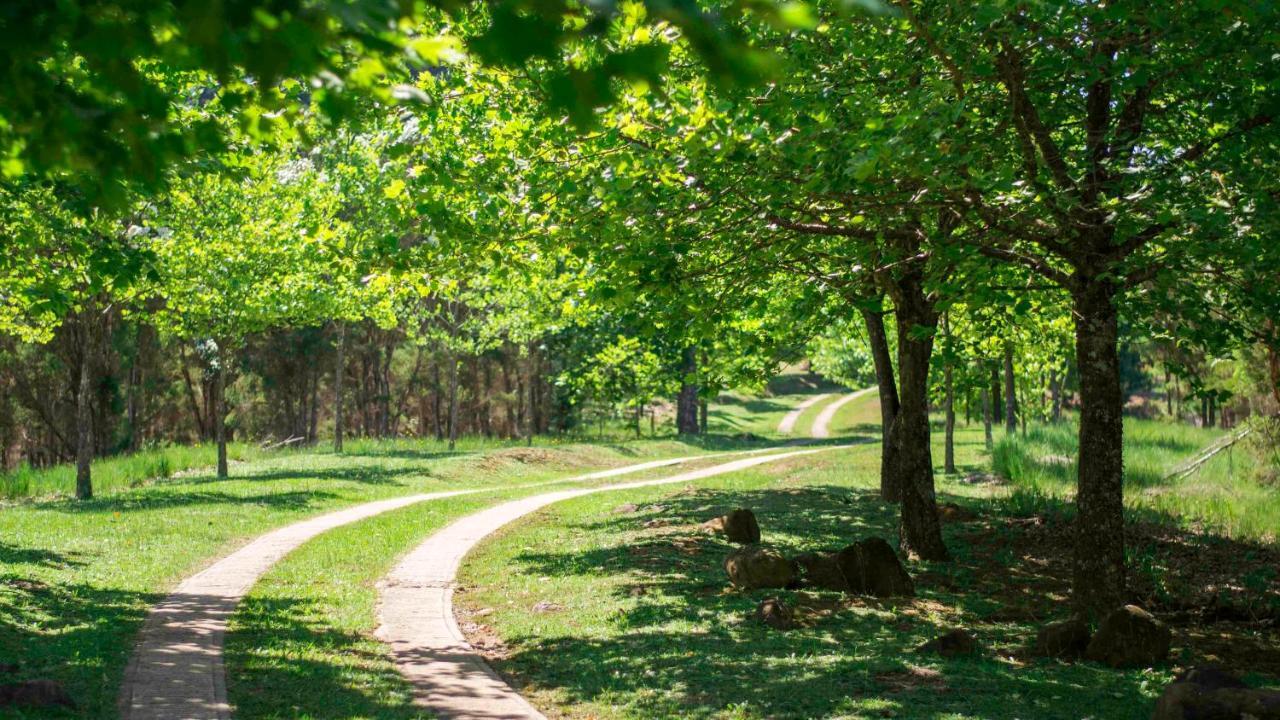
(272, 663)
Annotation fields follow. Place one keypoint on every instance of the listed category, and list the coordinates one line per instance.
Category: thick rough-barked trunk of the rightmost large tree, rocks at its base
(1099, 566)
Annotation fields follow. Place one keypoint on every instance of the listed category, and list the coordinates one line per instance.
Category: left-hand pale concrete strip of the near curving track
(176, 672)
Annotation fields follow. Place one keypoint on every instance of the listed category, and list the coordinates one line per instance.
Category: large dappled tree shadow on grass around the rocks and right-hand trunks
(682, 632)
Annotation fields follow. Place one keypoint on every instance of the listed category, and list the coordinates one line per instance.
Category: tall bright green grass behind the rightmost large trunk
(1222, 496)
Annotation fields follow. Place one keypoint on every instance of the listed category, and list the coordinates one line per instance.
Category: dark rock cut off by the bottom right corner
(1210, 694)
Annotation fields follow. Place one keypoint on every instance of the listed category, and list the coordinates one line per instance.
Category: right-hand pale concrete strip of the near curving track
(417, 608)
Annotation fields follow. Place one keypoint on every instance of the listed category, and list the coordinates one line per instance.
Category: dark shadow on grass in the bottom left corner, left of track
(76, 635)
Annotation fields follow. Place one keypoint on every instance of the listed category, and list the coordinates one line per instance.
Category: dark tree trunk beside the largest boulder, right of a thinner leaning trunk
(911, 431)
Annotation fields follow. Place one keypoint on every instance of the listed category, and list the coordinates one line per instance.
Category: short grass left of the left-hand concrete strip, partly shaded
(77, 578)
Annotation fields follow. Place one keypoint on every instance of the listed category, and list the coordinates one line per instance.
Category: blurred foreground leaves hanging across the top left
(89, 85)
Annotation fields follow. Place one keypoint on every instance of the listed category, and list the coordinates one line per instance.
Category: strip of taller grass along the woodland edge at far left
(124, 472)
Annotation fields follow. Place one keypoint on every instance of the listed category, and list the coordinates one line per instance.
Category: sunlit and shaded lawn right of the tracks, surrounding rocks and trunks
(646, 626)
